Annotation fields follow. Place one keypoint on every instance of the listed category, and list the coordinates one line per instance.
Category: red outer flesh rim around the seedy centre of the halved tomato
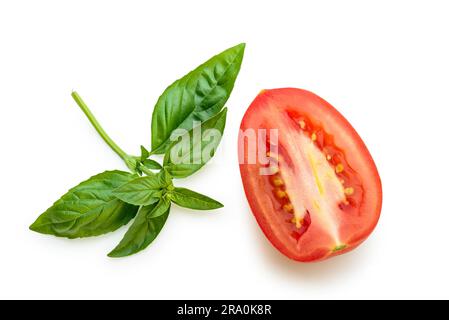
(312, 250)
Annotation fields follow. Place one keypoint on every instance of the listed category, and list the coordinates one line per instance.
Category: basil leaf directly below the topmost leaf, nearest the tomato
(190, 153)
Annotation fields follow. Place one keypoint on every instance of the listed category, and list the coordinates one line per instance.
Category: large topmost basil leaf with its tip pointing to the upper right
(198, 96)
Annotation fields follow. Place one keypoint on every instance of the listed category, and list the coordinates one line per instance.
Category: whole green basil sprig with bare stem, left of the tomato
(187, 126)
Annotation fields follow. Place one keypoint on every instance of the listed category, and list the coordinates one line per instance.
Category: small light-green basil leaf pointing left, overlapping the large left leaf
(144, 191)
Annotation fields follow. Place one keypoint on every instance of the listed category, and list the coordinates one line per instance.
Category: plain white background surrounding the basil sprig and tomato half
(383, 64)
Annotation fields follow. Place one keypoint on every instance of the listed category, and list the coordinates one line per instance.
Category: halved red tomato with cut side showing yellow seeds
(319, 193)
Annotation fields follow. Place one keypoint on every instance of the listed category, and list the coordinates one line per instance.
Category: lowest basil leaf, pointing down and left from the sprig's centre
(144, 229)
